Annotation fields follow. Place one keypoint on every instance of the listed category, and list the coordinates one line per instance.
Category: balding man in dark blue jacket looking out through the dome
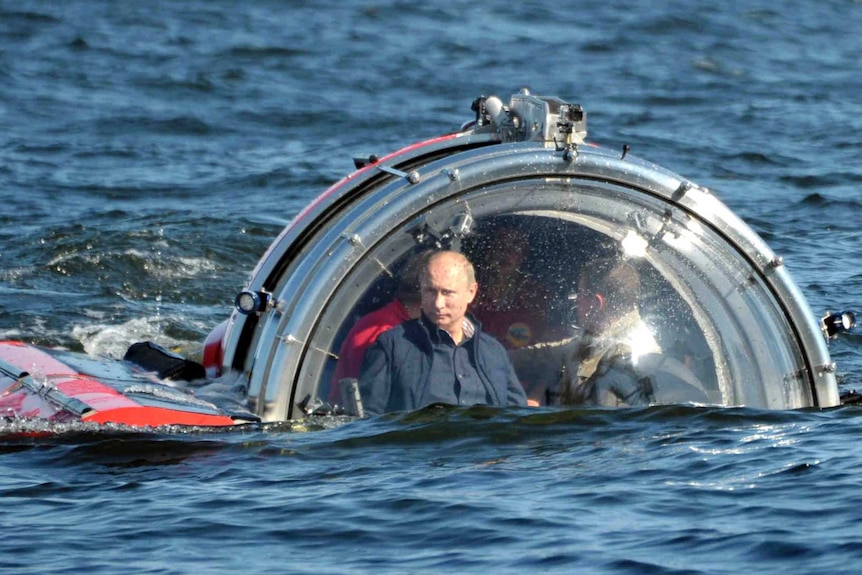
(443, 356)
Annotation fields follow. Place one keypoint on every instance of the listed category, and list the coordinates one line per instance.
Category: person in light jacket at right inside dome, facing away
(616, 361)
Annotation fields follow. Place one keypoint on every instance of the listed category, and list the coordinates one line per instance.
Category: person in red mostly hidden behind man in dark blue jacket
(405, 305)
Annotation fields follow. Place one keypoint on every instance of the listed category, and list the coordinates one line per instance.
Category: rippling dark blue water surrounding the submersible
(149, 153)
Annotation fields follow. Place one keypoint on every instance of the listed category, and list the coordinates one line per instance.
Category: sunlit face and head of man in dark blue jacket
(446, 293)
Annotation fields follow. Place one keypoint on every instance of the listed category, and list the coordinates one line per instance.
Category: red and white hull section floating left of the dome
(35, 383)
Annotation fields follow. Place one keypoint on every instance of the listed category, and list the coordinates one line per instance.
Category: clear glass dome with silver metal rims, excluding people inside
(719, 302)
